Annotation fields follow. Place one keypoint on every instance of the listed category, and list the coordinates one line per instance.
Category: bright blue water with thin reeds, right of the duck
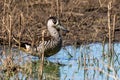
(88, 62)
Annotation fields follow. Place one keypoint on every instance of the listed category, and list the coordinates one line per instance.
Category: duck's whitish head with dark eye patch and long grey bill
(54, 22)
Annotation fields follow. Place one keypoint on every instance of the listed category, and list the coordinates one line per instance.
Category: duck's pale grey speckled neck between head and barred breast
(54, 33)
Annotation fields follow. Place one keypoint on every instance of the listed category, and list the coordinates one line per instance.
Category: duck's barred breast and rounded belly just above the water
(50, 47)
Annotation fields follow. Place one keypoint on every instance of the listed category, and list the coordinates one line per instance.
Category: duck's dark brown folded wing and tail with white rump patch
(26, 45)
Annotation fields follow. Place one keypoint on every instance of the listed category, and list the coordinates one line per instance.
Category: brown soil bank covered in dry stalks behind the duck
(87, 20)
